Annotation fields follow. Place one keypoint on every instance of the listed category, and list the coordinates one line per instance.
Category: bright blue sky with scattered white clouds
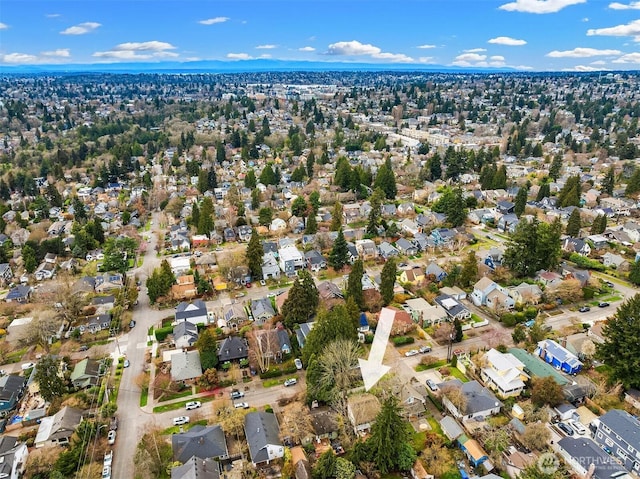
(536, 35)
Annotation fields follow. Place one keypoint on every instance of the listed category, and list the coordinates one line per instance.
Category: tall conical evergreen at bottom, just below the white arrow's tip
(389, 444)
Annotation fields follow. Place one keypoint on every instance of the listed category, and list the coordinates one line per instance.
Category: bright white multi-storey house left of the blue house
(504, 373)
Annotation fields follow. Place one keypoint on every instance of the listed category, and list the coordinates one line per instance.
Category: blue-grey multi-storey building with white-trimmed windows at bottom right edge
(619, 432)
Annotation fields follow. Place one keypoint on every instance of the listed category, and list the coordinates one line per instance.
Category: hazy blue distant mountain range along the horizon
(221, 66)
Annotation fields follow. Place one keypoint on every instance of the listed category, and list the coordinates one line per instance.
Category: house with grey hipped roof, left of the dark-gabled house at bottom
(203, 442)
